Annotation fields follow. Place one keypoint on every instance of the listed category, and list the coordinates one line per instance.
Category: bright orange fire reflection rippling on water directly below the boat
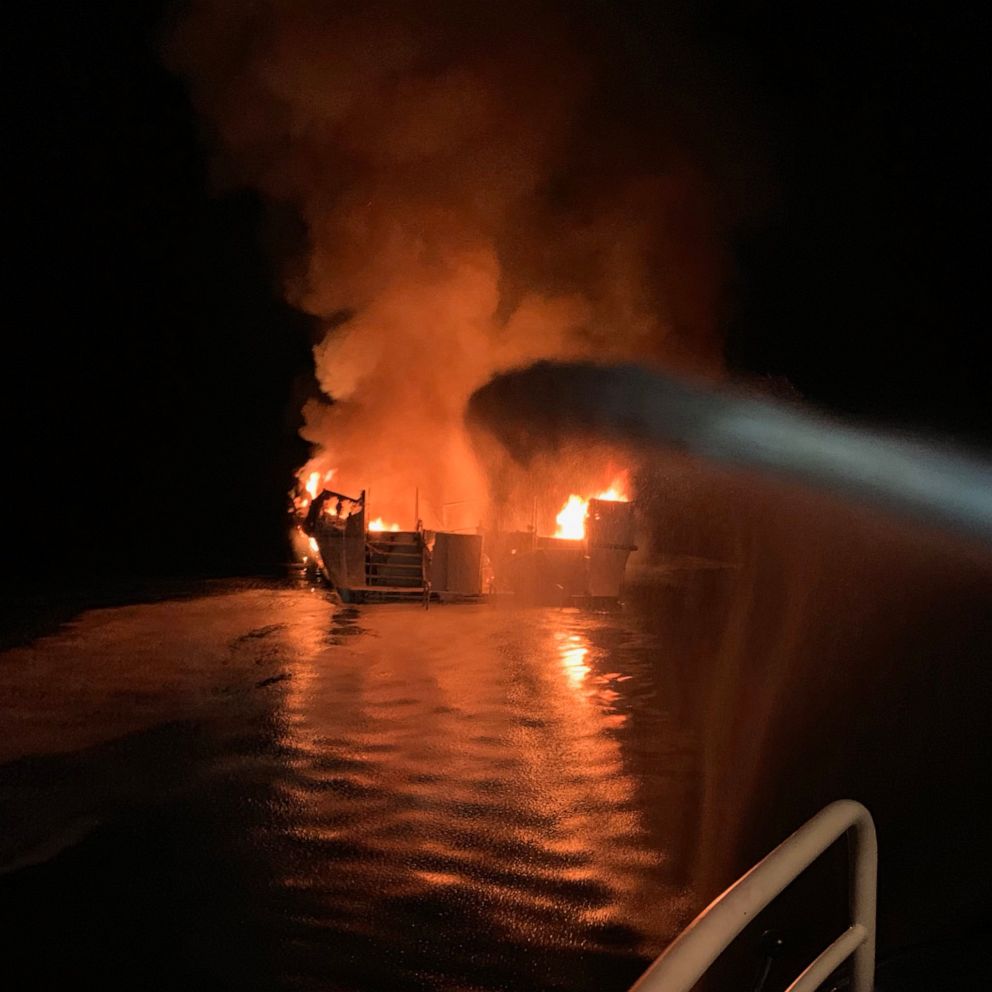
(455, 773)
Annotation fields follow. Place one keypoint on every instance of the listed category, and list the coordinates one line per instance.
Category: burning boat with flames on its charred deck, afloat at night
(370, 561)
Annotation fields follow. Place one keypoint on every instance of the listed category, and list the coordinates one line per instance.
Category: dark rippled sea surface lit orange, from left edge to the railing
(262, 789)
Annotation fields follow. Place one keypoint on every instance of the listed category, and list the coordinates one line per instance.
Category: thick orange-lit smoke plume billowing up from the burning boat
(482, 185)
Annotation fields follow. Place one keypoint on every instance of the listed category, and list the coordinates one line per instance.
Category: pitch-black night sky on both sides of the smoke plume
(152, 374)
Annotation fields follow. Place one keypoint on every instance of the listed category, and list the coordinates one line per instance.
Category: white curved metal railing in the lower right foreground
(687, 958)
